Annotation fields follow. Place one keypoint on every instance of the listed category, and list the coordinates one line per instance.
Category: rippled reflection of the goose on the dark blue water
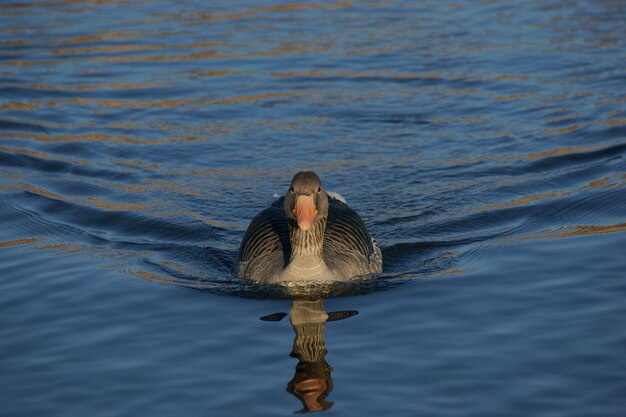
(312, 381)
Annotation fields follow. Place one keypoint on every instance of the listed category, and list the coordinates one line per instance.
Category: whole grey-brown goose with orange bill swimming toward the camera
(307, 235)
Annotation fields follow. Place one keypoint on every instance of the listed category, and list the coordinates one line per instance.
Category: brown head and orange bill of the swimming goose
(306, 201)
